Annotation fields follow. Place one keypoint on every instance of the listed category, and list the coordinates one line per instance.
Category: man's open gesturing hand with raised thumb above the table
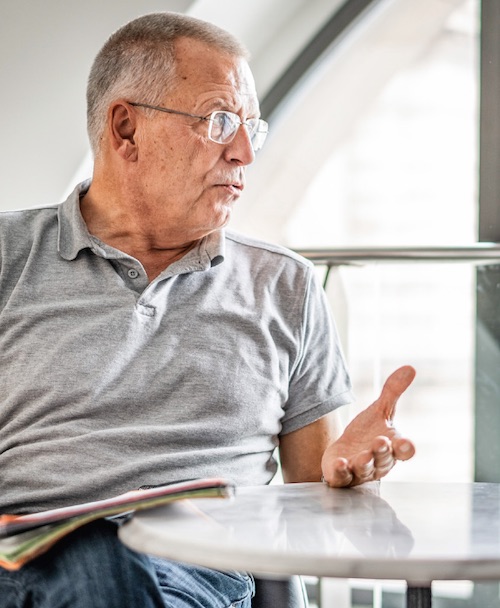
(370, 446)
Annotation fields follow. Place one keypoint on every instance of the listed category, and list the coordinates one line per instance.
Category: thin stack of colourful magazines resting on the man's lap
(24, 537)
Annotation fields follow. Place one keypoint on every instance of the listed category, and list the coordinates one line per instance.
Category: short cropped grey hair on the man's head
(139, 60)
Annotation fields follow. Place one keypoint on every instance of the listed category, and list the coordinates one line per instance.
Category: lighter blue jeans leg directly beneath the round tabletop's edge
(185, 586)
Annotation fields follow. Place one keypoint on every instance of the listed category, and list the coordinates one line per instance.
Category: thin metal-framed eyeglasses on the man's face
(222, 125)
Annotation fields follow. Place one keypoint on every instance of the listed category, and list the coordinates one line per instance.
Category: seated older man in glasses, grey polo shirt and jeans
(141, 343)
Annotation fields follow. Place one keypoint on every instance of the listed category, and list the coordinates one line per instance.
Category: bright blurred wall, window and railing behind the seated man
(384, 148)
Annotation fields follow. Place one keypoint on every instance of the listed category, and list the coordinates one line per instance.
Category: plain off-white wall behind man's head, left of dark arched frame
(46, 49)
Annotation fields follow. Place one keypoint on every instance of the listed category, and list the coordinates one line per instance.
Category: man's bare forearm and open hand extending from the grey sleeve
(367, 449)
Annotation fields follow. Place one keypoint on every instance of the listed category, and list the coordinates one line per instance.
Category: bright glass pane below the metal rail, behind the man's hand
(422, 314)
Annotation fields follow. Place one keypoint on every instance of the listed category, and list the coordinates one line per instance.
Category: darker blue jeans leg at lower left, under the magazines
(90, 568)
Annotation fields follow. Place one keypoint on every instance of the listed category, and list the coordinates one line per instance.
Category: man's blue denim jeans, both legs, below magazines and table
(91, 568)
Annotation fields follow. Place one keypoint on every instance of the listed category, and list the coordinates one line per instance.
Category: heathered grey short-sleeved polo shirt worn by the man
(109, 382)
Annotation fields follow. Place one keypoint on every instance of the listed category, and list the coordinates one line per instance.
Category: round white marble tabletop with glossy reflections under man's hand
(418, 532)
